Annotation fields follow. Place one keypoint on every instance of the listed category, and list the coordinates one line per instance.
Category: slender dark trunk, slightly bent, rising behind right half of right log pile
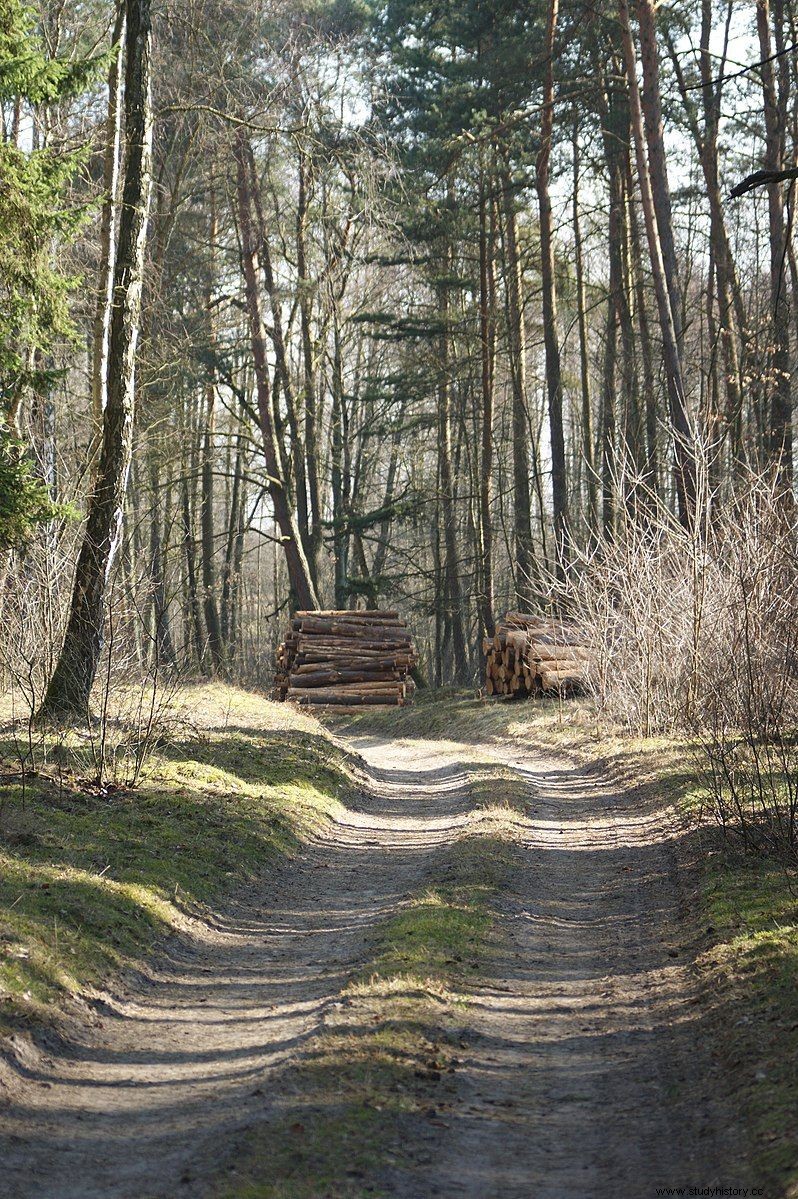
(551, 335)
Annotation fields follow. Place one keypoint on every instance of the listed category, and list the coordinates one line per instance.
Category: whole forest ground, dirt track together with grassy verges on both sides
(462, 960)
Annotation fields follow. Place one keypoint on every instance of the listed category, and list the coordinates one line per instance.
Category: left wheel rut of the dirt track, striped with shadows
(149, 1101)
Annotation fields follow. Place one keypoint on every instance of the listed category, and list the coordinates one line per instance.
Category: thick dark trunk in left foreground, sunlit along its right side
(70, 689)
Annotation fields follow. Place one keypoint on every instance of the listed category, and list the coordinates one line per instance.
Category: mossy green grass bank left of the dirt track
(92, 878)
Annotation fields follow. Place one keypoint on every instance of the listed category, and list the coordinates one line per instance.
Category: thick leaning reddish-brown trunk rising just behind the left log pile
(297, 562)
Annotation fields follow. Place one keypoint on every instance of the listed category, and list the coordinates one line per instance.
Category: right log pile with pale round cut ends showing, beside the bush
(530, 655)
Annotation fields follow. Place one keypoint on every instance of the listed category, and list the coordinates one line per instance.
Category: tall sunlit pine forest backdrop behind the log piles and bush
(416, 309)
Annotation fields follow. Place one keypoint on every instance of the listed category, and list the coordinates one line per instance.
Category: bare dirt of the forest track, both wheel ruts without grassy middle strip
(587, 1074)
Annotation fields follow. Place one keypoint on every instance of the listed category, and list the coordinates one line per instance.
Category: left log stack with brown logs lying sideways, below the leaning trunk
(347, 659)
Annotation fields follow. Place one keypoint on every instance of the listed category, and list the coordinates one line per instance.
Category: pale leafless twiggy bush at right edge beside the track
(698, 631)
